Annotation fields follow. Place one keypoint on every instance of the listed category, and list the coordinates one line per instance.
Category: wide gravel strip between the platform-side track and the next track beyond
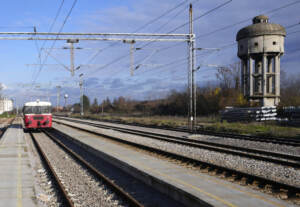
(268, 170)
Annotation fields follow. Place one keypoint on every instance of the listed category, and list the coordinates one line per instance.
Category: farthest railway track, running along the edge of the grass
(275, 140)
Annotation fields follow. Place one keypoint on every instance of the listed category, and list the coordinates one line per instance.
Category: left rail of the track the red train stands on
(66, 199)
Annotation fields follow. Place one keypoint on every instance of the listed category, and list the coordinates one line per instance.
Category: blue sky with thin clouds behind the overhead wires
(106, 65)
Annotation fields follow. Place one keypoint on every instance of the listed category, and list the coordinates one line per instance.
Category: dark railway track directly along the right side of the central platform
(291, 189)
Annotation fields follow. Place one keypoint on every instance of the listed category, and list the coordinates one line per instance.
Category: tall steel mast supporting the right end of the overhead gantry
(191, 43)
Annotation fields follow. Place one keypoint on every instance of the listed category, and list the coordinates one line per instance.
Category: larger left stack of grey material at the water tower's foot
(232, 114)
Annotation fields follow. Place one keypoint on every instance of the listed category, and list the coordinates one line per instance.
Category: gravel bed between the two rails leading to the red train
(81, 186)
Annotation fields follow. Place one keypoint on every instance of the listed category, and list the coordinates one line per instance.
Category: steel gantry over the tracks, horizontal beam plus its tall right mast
(131, 38)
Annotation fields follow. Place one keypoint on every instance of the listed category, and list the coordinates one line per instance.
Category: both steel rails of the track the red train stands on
(64, 191)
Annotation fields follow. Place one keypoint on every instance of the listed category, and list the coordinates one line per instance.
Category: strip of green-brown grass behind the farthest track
(208, 123)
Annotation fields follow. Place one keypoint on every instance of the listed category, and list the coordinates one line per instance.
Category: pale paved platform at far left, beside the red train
(16, 180)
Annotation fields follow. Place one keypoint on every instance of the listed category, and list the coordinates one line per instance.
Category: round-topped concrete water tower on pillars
(260, 46)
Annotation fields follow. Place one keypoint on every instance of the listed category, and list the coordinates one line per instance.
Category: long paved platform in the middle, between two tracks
(210, 189)
